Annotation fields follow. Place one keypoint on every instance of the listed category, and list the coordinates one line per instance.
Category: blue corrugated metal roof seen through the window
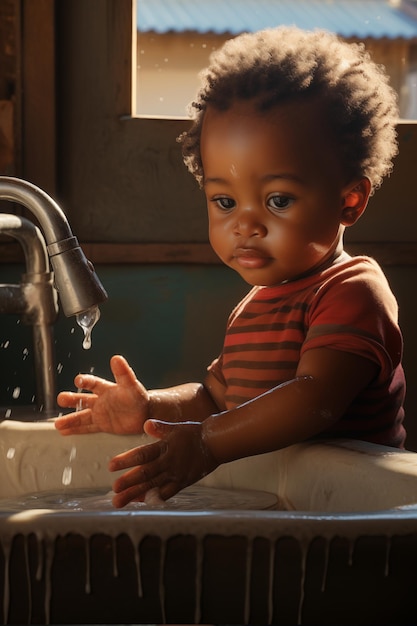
(349, 18)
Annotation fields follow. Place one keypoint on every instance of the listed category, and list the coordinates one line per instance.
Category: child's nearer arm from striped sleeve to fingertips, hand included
(325, 384)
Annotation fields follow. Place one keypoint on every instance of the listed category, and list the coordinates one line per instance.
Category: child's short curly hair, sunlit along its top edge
(282, 64)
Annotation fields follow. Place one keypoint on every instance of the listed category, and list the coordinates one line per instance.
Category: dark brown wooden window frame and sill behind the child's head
(141, 205)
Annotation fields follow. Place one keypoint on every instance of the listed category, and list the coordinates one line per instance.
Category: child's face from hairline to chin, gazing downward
(275, 190)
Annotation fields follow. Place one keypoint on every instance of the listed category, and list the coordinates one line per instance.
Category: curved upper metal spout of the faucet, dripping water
(75, 279)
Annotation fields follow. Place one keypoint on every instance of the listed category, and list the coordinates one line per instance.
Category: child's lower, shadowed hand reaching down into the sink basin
(177, 460)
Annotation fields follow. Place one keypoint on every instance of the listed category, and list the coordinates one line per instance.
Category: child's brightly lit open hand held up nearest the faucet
(119, 407)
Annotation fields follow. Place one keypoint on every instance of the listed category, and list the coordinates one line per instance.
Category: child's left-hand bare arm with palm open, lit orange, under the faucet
(123, 406)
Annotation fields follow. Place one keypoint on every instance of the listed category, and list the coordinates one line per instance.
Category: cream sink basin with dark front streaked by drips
(344, 550)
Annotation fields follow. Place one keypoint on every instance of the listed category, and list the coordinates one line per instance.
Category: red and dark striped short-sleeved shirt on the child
(349, 307)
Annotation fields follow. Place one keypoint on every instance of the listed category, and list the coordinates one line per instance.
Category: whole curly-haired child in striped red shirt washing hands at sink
(292, 131)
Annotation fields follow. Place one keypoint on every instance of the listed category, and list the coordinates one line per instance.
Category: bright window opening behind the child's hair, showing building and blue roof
(176, 37)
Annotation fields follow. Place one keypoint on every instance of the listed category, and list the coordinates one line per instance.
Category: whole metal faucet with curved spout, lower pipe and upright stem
(35, 299)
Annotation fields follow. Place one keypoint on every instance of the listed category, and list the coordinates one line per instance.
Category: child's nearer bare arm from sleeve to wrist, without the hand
(326, 383)
